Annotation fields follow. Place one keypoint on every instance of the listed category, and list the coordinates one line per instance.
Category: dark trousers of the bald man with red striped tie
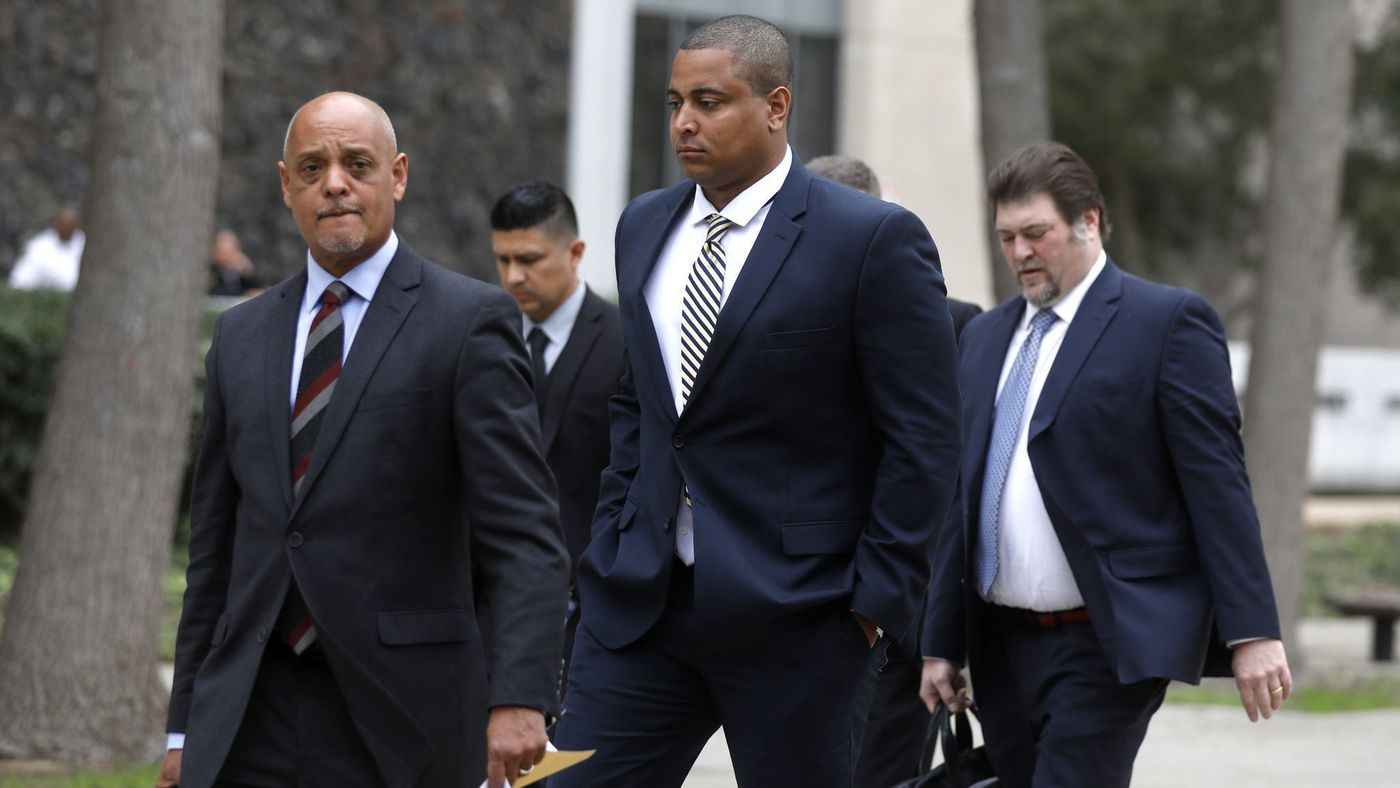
(297, 730)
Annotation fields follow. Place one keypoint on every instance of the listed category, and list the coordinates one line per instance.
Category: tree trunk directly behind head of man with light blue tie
(1016, 97)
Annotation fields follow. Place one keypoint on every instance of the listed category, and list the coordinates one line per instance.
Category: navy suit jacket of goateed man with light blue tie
(1136, 449)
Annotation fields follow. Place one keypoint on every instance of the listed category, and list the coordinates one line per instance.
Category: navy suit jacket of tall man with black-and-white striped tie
(820, 443)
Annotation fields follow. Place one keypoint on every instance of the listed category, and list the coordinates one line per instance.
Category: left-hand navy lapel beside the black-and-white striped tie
(657, 229)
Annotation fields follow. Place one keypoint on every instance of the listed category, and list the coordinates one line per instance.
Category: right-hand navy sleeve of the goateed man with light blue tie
(1200, 421)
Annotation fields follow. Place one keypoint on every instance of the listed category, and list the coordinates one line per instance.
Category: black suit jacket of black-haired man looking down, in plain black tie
(576, 415)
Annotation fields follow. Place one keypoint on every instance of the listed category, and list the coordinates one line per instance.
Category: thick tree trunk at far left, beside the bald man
(79, 653)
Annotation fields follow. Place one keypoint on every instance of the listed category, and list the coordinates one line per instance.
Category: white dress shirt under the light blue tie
(1032, 570)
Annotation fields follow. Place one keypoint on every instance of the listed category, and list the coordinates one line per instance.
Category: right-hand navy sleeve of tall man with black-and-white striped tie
(909, 370)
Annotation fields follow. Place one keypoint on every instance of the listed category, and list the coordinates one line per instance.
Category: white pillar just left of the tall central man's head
(600, 129)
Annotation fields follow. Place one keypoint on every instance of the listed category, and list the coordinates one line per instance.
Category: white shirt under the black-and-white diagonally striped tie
(666, 290)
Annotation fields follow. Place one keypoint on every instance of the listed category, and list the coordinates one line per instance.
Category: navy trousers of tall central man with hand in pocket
(786, 701)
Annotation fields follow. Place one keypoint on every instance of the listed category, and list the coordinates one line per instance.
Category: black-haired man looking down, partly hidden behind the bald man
(575, 339)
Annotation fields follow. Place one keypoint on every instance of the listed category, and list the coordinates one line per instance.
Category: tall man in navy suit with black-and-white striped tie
(783, 447)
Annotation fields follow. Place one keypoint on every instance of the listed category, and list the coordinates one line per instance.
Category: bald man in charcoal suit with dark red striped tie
(370, 465)
